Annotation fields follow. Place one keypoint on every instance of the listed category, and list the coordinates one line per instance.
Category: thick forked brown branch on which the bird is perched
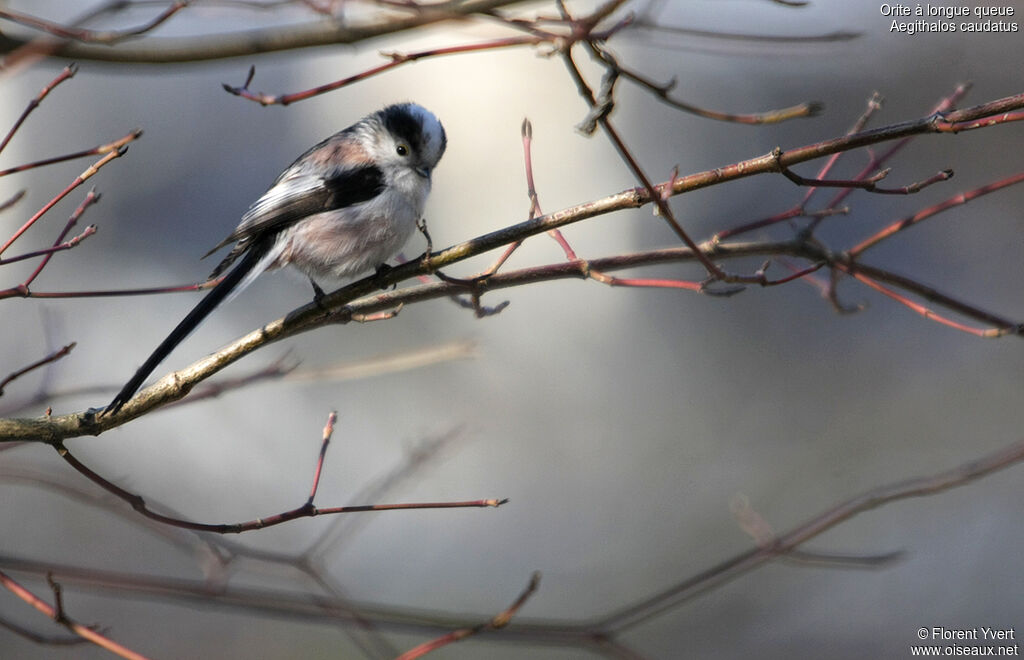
(177, 386)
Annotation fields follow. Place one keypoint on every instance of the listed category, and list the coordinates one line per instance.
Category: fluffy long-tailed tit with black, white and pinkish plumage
(344, 208)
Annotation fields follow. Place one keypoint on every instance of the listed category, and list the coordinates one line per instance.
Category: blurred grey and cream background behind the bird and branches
(620, 423)
